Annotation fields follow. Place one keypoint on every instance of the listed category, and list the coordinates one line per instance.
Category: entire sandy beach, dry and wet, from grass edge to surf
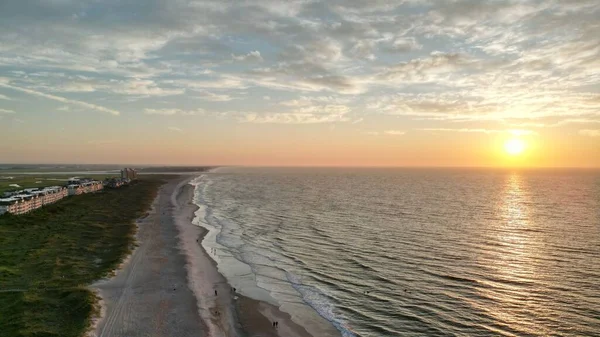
(167, 286)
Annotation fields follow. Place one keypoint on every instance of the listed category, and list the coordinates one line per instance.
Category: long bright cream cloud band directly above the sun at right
(489, 104)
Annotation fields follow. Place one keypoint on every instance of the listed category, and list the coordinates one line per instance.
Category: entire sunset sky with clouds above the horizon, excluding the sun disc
(300, 83)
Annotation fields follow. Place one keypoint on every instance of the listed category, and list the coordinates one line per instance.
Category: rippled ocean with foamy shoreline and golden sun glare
(411, 252)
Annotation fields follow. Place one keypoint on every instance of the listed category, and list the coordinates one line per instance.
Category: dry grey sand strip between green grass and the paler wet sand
(149, 295)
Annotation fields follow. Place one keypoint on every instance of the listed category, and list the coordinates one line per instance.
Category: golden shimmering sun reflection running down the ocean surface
(511, 261)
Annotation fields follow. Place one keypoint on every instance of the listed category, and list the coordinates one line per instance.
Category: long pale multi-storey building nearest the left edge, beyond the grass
(24, 201)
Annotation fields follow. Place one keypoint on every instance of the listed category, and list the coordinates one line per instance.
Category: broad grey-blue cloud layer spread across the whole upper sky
(462, 61)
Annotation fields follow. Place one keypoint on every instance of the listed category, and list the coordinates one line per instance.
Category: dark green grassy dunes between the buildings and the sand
(50, 256)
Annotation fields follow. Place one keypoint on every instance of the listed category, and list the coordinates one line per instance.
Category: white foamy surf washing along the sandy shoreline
(257, 269)
